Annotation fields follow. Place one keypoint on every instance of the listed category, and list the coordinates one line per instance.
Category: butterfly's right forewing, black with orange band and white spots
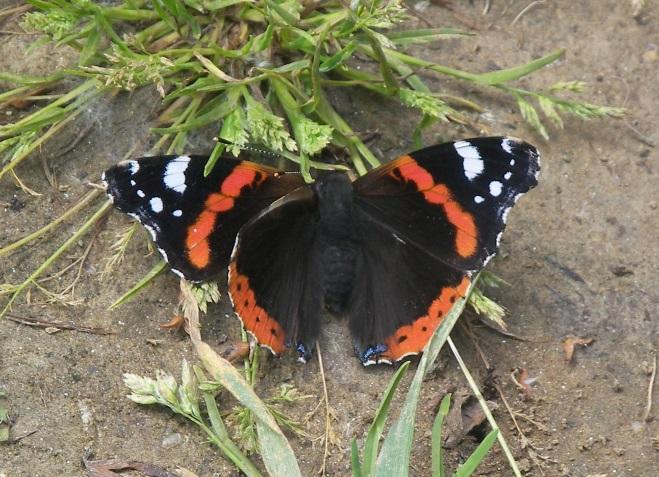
(452, 199)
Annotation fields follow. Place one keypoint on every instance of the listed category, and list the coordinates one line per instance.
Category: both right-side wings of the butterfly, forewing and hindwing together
(426, 222)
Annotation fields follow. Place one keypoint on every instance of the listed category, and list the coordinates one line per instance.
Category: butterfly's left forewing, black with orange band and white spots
(194, 219)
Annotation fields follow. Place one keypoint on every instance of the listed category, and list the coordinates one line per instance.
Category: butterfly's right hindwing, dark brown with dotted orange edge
(400, 295)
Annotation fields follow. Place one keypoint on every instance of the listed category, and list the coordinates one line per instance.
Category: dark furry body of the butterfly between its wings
(336, 238)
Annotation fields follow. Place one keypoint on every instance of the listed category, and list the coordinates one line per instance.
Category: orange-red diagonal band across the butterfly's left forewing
(196, 242)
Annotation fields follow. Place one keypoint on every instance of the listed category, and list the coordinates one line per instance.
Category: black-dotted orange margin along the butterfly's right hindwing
(411, 339)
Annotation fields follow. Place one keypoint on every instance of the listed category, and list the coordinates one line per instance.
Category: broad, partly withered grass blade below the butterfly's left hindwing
(276, 451)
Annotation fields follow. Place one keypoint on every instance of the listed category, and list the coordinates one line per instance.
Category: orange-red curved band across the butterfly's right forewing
(466, 243)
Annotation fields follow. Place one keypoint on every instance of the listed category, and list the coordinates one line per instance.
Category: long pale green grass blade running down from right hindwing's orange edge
(395, 455)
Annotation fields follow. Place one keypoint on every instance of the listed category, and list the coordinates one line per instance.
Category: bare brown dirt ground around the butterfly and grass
(580, 254)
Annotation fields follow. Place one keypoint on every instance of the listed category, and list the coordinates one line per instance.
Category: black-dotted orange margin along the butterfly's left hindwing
(254, 318)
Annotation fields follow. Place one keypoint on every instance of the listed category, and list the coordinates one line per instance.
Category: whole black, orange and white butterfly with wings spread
(390, 251)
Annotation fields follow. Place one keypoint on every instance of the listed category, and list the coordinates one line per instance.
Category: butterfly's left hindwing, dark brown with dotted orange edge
(274, 275)
